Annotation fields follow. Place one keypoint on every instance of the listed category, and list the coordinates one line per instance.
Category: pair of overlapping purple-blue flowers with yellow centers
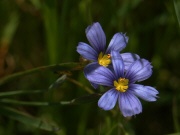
(117, 71)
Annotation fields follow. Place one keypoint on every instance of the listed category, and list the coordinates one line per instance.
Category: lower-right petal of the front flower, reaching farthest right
(147, 93)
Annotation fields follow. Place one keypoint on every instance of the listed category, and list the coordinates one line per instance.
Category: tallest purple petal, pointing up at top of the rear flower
(96, 37)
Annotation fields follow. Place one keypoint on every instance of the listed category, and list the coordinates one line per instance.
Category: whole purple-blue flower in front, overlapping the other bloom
(122, 84)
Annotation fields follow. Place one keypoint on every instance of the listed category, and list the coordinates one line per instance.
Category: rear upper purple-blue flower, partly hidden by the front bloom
(97, 52)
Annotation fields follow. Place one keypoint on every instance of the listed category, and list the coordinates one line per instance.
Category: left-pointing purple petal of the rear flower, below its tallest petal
(87, 51)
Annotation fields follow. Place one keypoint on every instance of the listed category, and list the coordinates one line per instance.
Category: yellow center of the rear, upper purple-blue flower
(104, 60)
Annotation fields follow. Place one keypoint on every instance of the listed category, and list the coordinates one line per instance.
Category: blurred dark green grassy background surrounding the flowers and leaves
(35, 33)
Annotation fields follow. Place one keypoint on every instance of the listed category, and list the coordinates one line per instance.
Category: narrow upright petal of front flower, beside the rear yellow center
(118, 64)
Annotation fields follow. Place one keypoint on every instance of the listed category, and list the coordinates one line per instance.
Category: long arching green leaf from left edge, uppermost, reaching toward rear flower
(61, 68)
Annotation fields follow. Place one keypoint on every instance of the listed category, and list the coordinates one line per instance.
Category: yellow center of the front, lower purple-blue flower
(121, 85)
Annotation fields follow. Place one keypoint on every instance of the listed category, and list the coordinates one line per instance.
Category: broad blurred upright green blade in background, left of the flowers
(50, 16)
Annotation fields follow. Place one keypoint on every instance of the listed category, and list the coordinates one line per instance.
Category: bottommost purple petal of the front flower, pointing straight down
(129, 104)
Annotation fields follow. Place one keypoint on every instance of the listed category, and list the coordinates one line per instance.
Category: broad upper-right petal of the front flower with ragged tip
(139, 70)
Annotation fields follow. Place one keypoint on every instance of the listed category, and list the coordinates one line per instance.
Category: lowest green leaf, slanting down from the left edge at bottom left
(27, 119)
